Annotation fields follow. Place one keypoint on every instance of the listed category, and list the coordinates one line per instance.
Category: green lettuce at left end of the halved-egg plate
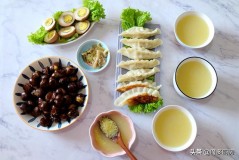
(38, 36)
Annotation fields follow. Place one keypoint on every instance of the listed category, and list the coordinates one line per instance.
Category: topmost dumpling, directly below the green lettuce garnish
(140, 32)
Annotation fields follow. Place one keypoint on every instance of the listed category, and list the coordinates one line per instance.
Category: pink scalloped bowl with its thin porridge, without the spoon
(106, 146)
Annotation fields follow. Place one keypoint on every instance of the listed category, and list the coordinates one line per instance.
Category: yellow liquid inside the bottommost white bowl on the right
(173, 128)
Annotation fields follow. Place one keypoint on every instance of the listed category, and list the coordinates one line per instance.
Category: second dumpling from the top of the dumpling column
(143, 43)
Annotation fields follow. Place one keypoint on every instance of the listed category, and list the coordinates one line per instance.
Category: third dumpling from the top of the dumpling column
(139, 53)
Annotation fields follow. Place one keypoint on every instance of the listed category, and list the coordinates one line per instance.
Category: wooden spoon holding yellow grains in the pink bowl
(115, 136)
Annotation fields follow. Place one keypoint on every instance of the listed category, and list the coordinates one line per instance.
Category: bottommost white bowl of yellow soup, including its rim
(174, 128)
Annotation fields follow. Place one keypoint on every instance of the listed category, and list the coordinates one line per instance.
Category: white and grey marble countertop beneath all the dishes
(217, 117)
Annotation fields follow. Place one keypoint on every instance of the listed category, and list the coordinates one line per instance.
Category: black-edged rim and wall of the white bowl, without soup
(210, 68)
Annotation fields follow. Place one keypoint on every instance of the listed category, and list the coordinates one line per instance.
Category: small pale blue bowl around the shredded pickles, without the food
(86, 46)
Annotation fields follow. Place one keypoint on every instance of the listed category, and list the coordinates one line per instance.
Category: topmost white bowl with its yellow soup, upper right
(193, 29)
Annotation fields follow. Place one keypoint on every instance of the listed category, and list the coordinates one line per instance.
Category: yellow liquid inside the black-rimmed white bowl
(194, 79)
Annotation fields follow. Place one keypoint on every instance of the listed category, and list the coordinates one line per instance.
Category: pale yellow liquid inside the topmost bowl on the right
(192, 30)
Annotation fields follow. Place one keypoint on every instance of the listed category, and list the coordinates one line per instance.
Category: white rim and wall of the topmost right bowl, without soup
(205, 18)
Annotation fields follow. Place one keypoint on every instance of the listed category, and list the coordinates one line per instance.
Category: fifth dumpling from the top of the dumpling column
(138, 74)
